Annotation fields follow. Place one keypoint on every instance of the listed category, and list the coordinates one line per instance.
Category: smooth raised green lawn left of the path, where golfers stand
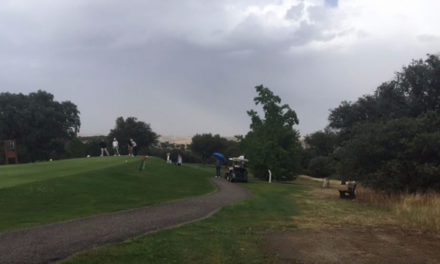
(41, 193)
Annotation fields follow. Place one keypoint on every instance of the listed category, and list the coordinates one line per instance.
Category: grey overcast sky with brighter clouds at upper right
(190, 66)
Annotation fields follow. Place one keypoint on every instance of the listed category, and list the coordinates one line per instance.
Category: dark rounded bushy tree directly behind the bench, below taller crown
(397, 155)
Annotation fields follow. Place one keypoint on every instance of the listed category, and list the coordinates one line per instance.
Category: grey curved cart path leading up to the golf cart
(57, 241)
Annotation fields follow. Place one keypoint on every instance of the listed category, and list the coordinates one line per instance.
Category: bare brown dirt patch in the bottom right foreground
(352, 244)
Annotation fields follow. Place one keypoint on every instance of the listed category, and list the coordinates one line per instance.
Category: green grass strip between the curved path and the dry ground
(233, 235)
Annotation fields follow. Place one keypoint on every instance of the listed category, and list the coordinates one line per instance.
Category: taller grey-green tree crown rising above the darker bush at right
(414, 91)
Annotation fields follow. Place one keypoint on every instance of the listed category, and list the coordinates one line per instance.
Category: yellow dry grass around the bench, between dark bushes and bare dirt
(415, 211)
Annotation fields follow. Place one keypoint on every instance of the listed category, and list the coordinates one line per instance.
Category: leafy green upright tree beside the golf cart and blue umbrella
(272, 142)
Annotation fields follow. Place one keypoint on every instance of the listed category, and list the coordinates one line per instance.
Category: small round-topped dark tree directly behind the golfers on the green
(140, 131)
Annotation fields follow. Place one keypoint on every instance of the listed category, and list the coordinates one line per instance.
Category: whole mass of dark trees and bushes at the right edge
(391, 140)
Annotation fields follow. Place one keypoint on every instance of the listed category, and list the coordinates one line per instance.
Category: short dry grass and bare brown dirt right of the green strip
(333, 230)
